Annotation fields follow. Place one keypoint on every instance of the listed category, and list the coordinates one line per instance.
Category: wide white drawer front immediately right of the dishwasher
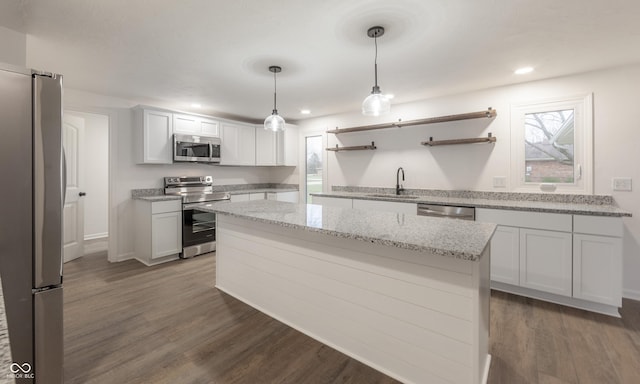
(522, 219)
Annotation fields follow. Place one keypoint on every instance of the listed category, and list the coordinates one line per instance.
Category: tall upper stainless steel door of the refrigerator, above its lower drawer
(47, 192)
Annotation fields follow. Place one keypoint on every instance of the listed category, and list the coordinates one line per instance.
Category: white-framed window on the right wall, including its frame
(552, 145)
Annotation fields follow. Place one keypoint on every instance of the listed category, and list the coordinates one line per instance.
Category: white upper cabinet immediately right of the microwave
(238, 144)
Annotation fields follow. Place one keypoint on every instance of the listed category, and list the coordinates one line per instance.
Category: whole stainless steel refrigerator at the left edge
(32, 177)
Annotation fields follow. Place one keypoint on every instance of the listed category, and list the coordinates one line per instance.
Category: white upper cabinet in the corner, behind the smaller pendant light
(277, 148)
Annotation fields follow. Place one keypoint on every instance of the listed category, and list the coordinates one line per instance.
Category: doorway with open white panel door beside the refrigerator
(86, 212)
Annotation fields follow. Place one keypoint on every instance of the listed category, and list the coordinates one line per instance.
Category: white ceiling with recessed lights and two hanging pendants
(217, 52)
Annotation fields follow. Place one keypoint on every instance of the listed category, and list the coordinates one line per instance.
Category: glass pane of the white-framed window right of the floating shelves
(549, 147)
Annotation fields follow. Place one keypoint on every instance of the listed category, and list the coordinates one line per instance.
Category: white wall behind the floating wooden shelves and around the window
(472, 167)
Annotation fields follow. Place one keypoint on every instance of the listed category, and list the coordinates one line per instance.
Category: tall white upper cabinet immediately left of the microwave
(153, 136)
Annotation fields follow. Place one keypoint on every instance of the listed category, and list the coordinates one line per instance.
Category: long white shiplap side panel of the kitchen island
(411, 315)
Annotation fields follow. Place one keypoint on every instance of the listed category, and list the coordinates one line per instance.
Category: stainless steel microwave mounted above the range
(196, 149)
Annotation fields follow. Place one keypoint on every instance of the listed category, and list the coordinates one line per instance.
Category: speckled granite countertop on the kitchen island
(464, 240)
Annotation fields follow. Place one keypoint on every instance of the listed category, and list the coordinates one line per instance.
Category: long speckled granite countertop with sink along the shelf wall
(519, 205)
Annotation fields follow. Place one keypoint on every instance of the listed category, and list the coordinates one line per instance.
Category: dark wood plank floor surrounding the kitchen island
(128, 323)
